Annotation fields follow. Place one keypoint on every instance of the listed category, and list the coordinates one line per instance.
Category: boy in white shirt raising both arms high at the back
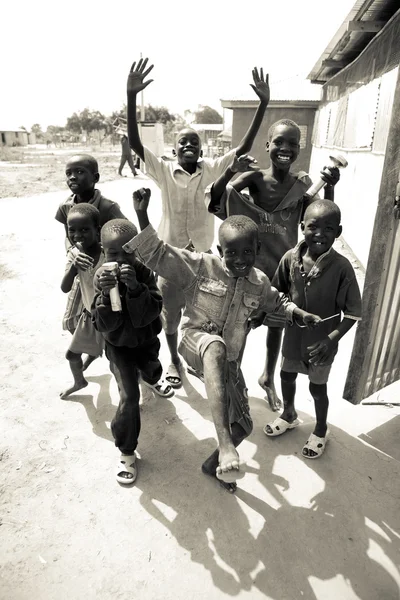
(185, 219)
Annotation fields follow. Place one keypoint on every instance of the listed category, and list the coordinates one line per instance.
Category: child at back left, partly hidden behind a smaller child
(82, 173)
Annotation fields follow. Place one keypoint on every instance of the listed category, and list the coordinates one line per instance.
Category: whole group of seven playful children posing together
(215, 300)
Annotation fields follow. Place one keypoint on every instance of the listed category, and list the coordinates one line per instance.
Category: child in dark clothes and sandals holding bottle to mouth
(131, 337)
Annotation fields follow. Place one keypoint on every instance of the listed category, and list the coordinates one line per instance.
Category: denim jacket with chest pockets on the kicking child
(215, 300)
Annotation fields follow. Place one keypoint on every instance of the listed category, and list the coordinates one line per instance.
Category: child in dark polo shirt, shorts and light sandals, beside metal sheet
(319, 280)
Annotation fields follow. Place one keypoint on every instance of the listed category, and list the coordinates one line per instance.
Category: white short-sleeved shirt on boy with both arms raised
(184, 214)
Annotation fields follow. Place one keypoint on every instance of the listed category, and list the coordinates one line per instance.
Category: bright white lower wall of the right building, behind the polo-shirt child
(356, 194)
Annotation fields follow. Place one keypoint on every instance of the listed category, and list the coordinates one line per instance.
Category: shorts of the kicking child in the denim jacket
(193, 345)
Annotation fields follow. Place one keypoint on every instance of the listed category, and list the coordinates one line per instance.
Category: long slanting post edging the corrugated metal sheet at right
(384, 223)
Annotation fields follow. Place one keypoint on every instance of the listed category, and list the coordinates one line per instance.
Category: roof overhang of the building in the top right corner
(353, 36)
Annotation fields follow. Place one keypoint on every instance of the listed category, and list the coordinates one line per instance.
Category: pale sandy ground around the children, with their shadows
(296, 529)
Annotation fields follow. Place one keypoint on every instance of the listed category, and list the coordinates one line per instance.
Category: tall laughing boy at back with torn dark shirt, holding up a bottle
(277, 205)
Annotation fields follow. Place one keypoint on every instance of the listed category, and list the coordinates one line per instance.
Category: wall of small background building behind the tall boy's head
(302, 116)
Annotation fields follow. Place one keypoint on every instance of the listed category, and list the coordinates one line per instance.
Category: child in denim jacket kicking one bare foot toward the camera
(221, 294)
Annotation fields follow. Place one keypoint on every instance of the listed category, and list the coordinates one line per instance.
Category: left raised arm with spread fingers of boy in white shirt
(135, 85)
